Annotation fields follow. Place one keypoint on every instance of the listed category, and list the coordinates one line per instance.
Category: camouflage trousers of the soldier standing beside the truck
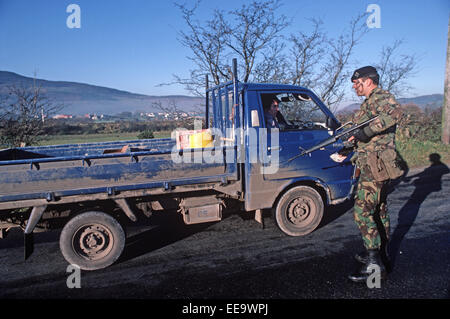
(370, 210)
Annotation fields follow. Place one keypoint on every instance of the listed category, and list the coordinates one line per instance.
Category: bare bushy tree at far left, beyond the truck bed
(22, 115)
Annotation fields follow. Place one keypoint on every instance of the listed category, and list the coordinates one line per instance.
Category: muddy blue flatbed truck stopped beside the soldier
(80, 185)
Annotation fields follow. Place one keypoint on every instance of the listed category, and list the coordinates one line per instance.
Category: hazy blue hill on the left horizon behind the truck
(81, 98)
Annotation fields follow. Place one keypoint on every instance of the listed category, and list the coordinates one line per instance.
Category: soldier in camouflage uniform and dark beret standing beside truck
(377, 159)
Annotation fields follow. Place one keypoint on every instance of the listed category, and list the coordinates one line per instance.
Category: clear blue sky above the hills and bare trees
(133, 45)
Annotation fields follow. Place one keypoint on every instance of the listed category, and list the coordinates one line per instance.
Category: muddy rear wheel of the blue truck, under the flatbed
(92, 240)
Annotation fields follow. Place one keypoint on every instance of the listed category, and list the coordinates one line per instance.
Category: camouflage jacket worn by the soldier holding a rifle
(383, 104)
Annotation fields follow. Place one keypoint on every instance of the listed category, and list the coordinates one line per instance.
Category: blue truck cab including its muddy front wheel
(274, 176)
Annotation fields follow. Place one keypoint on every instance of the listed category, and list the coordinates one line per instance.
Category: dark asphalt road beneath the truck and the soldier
(238, 259)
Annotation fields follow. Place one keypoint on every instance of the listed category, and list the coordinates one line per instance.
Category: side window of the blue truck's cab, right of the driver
(301, 112)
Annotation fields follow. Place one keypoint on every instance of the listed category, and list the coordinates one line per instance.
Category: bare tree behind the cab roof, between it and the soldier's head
(315, 61)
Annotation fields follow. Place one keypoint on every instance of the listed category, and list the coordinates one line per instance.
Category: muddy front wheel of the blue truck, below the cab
(299, 211)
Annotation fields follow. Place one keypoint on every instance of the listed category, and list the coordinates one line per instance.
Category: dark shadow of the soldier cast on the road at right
(425, 182)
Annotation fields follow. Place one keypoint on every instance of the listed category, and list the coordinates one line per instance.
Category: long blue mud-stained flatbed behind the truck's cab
(50, 172)
